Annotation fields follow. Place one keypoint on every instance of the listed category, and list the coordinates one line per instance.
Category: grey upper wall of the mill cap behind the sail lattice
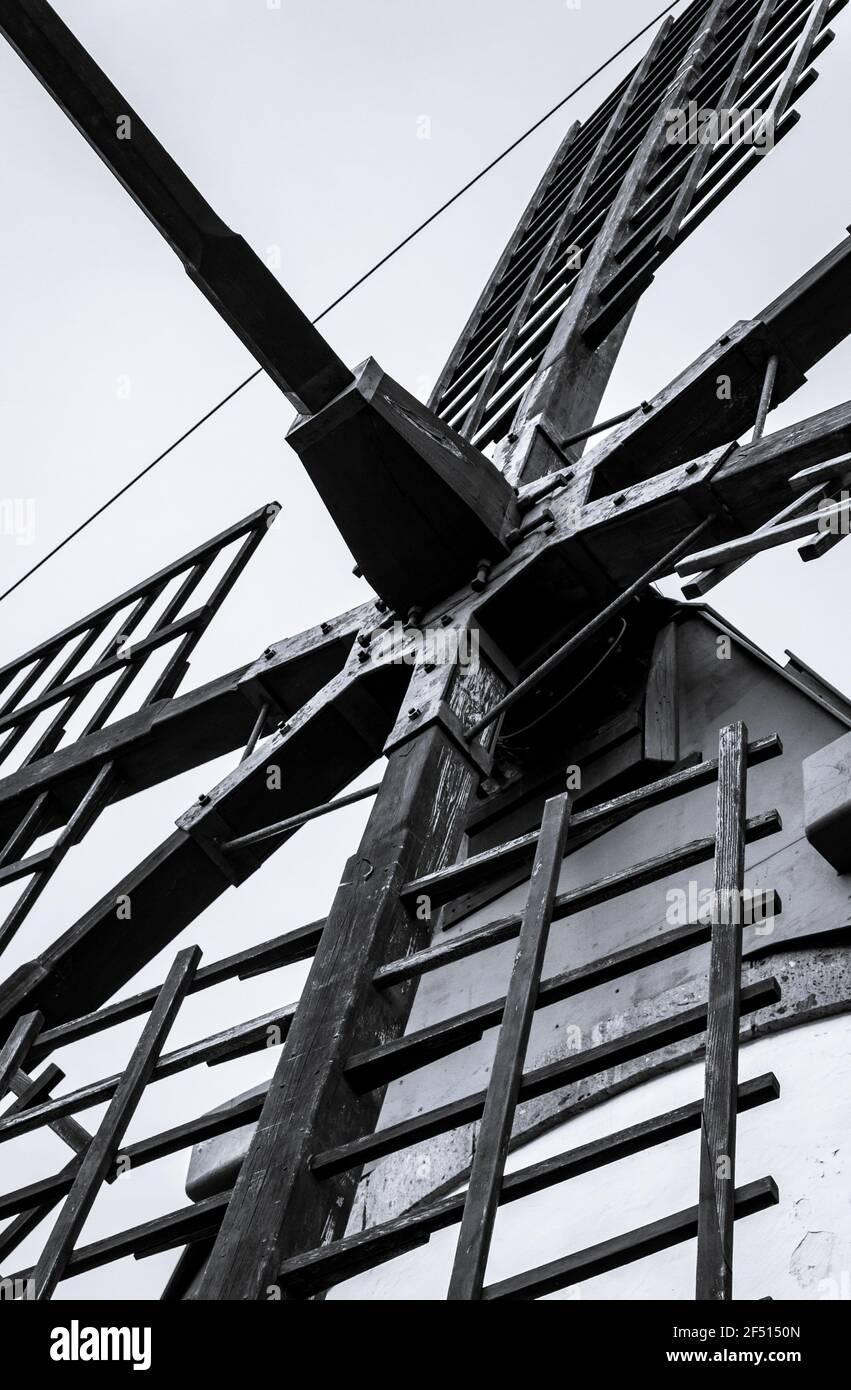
(816, 899)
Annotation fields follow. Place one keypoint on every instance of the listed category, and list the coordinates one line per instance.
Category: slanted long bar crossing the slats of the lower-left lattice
(105, 1146)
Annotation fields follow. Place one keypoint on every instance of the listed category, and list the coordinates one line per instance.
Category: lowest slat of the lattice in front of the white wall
(624, 1250)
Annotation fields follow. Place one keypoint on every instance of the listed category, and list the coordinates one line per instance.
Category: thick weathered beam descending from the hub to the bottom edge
(416, 824)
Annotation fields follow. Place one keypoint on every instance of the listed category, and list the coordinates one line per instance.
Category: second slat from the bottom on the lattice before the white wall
(365, 1250)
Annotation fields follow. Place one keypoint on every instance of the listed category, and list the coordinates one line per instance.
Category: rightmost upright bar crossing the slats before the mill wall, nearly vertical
(718, 1128)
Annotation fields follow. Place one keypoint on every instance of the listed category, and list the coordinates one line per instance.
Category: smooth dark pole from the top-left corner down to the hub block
(223, 266)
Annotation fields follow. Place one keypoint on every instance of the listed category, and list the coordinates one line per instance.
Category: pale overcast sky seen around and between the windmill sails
(300, 124)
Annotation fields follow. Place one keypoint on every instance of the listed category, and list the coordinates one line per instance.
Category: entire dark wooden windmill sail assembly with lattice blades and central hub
(476, 514)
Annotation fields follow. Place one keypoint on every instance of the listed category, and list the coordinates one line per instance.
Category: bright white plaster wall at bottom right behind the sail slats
(800, 1250)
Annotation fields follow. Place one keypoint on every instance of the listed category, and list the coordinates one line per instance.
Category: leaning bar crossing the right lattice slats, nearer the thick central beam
(507, 1074)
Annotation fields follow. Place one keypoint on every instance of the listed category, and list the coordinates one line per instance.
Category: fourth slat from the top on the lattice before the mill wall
(540, 1082)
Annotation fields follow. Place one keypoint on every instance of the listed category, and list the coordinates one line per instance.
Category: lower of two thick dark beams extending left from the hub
(325, 747)
